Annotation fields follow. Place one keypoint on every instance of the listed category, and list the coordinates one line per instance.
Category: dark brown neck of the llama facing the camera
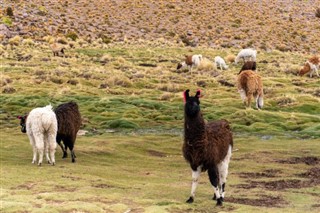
(194, 129)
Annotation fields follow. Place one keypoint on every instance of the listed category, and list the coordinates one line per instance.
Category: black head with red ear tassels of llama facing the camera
(192, 104)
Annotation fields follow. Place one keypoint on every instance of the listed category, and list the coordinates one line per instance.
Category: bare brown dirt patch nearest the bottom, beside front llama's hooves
(263, 200)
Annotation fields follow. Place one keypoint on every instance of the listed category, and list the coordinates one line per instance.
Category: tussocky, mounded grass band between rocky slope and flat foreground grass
(137, 87)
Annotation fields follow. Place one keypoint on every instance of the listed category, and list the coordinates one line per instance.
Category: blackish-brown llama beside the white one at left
(69, 122)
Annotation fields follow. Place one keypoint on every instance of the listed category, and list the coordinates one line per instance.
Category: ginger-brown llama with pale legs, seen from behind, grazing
(249, 84)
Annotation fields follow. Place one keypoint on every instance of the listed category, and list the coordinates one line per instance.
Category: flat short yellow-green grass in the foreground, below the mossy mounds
(116, 172)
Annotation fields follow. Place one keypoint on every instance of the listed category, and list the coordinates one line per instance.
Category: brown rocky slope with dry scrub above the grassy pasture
(286, 25)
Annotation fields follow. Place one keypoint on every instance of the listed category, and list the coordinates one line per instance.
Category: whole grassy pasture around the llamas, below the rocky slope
(130, 159)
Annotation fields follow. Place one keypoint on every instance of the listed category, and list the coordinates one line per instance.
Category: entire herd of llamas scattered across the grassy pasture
(207, 146)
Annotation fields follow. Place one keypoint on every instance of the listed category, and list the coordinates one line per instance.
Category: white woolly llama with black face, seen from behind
(41, 127)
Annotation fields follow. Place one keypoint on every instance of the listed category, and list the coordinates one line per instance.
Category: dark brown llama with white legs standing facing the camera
(207, 146)
